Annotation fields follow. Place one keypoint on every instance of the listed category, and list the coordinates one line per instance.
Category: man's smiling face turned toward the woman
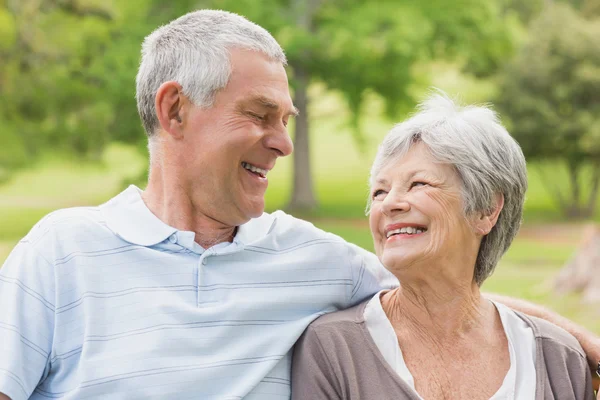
(229, 148)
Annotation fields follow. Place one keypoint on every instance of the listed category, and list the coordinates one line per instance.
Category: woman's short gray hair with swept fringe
(488, 160)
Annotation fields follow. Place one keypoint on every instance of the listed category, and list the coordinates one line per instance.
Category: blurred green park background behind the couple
(70, 134)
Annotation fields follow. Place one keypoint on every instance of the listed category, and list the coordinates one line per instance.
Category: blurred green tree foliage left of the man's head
(67, 75)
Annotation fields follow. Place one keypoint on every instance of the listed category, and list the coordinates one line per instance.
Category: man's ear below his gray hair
(169, 102)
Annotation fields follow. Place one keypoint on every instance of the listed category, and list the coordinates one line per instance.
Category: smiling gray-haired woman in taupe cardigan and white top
(447, 192)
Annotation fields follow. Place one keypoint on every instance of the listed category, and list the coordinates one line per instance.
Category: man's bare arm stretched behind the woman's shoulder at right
(589, 341)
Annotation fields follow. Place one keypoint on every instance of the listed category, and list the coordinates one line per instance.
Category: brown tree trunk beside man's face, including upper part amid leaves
(303, 196)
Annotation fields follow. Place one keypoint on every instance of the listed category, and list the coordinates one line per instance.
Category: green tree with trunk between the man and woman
(359, 46)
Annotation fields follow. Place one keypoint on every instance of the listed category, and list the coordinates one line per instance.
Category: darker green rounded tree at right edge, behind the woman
(551, 93)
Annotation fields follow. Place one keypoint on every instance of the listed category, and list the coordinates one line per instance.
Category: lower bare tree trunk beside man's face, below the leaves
(303, 197)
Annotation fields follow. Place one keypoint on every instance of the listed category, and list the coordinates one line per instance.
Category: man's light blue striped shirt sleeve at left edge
(26, 320)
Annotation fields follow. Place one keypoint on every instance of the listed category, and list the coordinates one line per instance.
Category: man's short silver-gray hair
(193, 50)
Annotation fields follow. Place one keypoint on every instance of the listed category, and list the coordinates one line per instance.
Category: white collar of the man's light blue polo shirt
(129, 218)
